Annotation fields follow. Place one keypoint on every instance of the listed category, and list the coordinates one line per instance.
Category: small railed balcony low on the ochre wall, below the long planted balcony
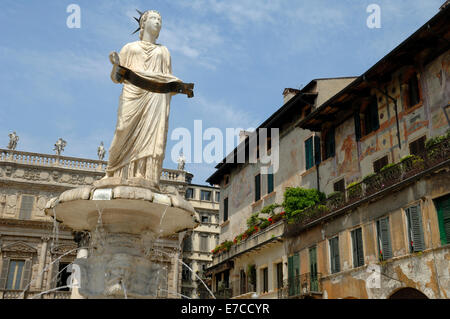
(307, 285)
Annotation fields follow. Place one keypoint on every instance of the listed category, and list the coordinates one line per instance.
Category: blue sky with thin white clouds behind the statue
(240, 55)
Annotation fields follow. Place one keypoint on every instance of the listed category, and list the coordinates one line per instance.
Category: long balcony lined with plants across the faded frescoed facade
(391, 178)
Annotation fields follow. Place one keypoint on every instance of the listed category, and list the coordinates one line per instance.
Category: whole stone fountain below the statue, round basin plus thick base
(124, 222)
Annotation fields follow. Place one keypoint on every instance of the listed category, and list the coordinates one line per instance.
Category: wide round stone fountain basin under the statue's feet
(124, 209)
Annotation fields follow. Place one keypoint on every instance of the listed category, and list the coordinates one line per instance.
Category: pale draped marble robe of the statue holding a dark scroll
(137, 149)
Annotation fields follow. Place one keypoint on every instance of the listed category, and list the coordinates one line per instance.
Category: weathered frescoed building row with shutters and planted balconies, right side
(378, 147)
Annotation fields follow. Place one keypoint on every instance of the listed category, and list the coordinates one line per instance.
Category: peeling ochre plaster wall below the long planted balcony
(427, 271)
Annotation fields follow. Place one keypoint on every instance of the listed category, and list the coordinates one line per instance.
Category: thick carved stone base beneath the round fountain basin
(118, 267)
